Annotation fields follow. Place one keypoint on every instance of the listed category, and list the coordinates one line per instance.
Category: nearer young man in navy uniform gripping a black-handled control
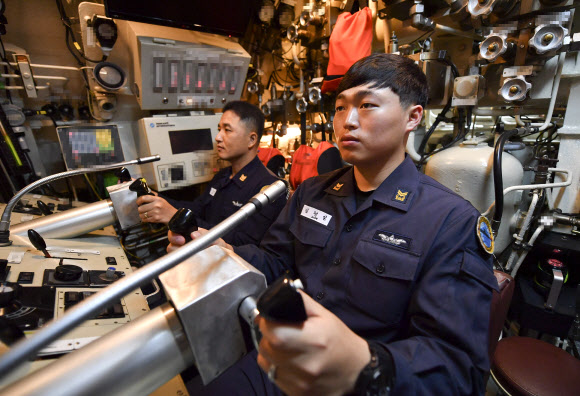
(397, 285)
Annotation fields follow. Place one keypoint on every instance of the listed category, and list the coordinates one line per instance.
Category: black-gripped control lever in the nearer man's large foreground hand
(280, 302)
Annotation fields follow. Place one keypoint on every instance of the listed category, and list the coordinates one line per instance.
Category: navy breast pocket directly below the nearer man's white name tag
(310, 240)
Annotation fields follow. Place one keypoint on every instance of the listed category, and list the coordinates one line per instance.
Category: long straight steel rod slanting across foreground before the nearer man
(28, 348)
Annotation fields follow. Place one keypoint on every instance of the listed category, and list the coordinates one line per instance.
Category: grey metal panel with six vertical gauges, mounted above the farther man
(181, 69)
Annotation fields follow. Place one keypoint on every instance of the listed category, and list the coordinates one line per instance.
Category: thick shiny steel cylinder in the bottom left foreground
(135, 359)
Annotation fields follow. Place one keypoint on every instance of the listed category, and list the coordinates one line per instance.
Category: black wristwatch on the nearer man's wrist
(377, 377)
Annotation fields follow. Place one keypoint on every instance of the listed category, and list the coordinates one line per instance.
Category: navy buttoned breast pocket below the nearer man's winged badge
(381, 281)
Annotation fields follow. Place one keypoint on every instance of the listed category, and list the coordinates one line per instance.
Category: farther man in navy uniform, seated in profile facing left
(239, 132)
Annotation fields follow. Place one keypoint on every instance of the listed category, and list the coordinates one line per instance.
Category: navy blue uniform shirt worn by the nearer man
(404, 269)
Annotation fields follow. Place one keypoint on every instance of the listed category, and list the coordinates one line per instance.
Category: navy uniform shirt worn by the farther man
(224, 196)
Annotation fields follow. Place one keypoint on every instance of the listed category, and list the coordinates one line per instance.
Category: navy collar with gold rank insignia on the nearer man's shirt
(397, 190)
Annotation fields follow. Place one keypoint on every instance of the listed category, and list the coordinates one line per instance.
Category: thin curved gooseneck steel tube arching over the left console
(5, 221)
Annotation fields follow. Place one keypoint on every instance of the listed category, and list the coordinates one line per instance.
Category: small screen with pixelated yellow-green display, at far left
(84, 146)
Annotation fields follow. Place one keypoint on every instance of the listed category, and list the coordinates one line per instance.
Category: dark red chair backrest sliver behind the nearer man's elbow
(500, 303)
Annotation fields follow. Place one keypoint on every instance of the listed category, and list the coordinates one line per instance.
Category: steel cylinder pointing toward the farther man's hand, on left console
(72, 223)
